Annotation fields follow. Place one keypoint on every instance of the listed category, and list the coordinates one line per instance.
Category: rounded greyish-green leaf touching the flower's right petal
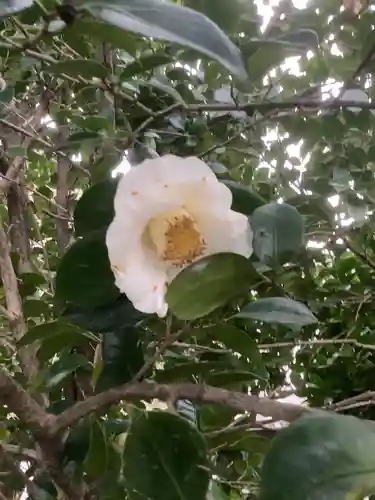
(278, 232)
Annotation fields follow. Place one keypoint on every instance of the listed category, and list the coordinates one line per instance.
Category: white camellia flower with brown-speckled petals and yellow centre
(169, 212)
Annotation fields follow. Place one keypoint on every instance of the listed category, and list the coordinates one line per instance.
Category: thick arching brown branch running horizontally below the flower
(194, 392)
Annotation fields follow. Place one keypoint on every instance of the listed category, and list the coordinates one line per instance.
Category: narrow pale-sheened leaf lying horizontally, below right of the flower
(278, 310)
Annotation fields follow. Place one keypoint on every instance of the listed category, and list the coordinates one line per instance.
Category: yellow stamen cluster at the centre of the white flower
(176, 237)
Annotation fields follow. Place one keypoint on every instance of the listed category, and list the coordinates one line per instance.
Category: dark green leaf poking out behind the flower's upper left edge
(95, 210)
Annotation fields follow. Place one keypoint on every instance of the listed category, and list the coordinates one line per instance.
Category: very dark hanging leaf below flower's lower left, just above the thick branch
(122, 357)
